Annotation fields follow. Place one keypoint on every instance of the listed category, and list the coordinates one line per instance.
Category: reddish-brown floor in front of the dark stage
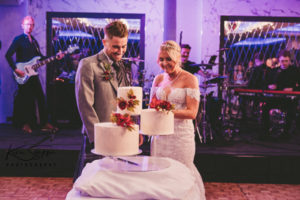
(28, 188)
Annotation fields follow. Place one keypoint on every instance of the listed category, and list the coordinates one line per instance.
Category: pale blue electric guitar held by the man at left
(30, 67)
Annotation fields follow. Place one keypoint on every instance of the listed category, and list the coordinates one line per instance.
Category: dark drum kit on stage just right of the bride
(215, 117)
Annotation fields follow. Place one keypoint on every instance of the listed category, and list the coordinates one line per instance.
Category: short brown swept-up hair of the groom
(117, 29)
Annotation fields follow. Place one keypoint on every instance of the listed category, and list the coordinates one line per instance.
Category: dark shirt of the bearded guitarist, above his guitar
(24, 49)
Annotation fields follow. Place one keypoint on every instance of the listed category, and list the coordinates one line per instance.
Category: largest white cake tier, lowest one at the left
(114, 140)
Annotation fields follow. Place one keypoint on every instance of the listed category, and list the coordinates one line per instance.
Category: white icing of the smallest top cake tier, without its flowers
(138, 92)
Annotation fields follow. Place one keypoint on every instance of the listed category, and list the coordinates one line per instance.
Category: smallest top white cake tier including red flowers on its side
(130, 100)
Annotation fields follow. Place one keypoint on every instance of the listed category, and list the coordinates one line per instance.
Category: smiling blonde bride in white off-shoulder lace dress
(181, 89)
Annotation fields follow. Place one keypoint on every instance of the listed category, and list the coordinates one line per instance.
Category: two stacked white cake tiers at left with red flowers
(117, 139)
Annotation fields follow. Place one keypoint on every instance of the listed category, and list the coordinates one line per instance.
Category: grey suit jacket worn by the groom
(96, 97)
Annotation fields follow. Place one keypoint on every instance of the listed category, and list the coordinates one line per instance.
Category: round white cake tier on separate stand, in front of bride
(155, 122)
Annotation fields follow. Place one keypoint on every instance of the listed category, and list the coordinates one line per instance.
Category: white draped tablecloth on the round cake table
(114, 179)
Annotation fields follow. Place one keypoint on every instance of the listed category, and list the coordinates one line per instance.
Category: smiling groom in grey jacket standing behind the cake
(97, 80)
